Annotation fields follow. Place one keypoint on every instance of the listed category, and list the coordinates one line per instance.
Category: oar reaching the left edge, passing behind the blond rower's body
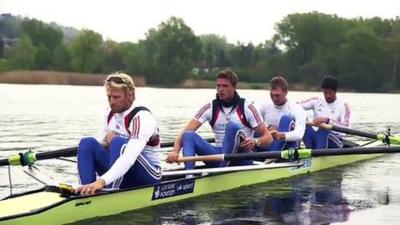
(29, 157)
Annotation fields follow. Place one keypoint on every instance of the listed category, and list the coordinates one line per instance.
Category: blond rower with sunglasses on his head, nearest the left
(126, 153)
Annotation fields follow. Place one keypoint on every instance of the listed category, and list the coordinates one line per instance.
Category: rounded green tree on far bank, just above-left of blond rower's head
(85, 50)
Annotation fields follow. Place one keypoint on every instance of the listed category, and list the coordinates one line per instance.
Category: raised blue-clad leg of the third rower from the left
(286, 123)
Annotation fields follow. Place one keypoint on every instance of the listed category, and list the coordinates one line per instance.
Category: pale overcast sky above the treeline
(237, 20)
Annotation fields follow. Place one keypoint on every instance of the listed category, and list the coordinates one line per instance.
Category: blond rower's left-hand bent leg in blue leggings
(92, 158)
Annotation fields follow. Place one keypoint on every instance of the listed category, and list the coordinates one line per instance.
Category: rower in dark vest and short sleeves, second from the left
(231, 118)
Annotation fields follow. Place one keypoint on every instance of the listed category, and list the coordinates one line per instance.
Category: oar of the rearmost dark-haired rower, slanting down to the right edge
(381, 137)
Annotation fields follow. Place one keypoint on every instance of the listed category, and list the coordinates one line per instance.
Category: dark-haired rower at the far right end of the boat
(328, 110)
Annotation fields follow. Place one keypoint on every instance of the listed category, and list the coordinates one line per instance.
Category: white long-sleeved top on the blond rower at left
(142, 126)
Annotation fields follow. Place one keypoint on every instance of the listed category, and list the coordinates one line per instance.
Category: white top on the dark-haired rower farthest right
(338, 111)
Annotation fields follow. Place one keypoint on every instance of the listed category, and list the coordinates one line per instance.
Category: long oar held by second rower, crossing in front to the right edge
(293, 154)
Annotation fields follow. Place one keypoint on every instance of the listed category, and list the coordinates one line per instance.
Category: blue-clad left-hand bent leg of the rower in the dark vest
(193, 144)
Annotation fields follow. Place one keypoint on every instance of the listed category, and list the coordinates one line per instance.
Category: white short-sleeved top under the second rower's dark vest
(228, 114)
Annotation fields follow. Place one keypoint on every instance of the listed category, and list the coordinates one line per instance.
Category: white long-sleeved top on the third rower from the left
(272, 114)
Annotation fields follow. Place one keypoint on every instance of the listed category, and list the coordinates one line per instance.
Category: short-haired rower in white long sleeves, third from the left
(285, 119)
